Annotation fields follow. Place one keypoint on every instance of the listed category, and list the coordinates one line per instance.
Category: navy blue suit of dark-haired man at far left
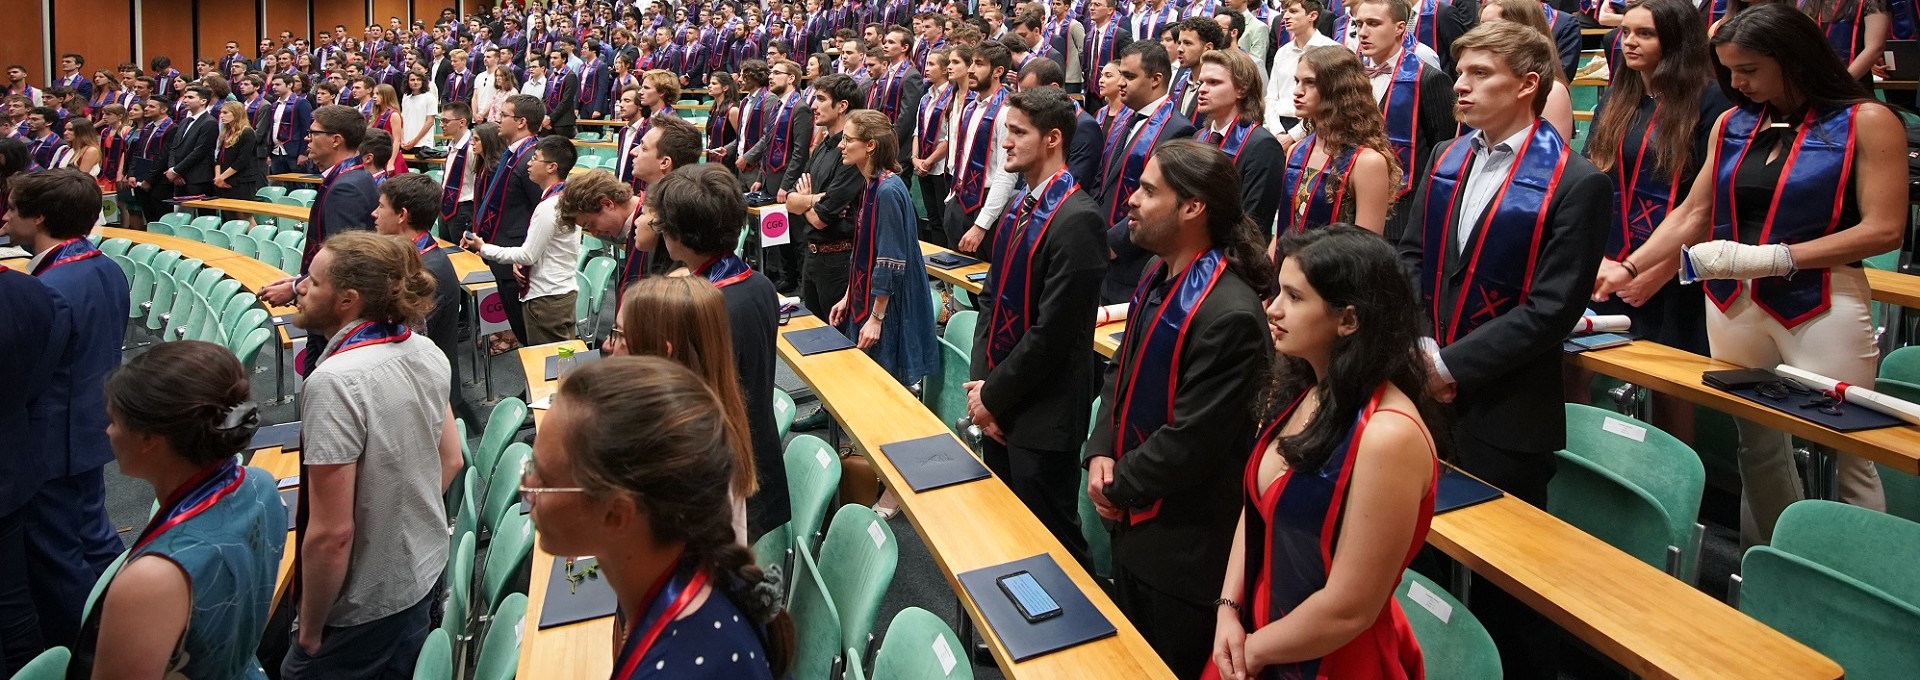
(70, 541)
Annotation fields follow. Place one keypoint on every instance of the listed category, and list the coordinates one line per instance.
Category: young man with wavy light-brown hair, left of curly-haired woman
(1232, 105)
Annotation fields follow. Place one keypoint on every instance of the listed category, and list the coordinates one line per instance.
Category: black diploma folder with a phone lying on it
(1024, 641)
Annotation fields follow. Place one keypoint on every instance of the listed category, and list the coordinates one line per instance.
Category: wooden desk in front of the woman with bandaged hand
(1677, 374)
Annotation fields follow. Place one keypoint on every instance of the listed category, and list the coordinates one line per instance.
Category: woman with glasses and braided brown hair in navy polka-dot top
(635, 468)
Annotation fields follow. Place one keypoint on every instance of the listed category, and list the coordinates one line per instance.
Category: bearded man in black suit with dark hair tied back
(1170, 445)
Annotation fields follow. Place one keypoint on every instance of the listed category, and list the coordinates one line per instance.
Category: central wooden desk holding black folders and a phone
(965, 527)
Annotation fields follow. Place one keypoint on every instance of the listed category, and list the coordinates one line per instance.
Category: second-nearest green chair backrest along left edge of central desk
(857, 562)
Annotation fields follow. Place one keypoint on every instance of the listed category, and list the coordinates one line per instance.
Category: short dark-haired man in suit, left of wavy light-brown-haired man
(1143, 72)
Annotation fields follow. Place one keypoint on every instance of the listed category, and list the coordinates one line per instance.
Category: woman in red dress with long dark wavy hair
(1341, 487)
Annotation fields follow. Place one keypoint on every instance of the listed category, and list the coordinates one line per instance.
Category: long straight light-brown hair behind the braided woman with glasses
(684, 320)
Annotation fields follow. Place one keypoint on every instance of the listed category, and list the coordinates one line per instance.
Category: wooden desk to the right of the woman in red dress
(1650, 623)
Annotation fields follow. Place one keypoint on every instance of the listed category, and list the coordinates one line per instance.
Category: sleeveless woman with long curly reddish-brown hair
(1345, 172)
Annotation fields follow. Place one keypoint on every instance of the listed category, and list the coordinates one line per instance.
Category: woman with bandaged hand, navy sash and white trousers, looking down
(1806, 178)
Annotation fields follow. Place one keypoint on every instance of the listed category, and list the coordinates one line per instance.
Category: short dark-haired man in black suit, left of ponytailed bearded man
(1032, 383)
